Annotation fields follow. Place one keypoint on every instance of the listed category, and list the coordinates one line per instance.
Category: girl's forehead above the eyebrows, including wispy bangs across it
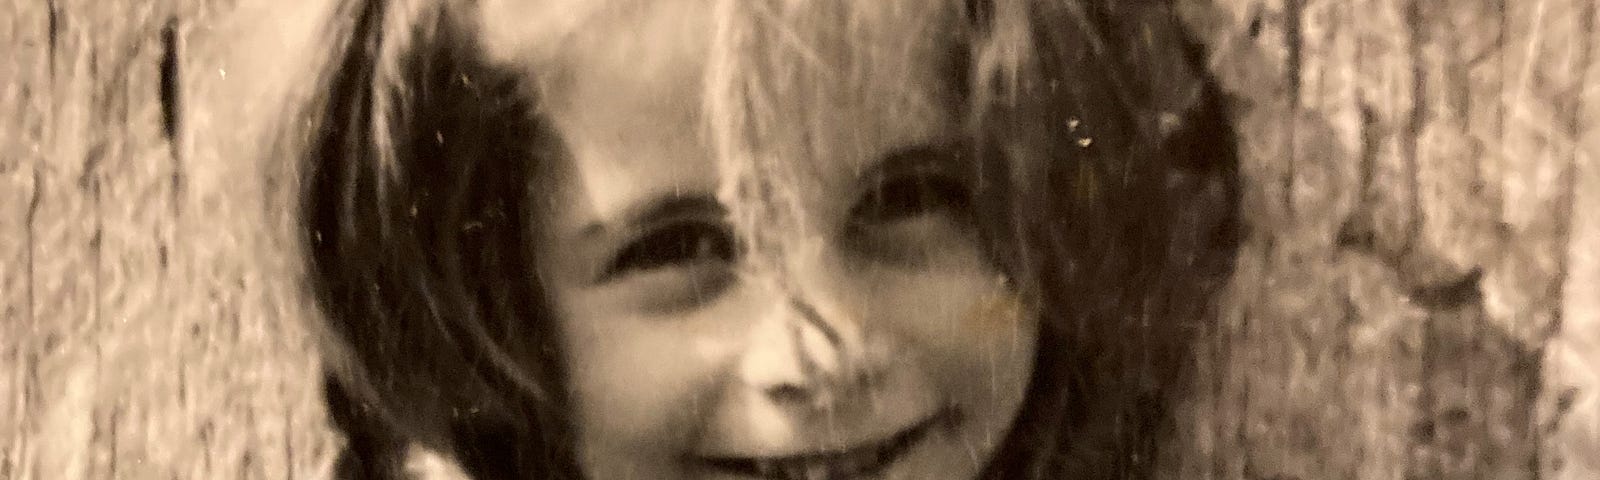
(644, 92)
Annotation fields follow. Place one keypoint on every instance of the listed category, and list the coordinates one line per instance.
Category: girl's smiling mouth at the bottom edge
(865, 460)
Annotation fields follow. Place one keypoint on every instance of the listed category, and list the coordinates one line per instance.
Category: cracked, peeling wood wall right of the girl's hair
(1415, 174)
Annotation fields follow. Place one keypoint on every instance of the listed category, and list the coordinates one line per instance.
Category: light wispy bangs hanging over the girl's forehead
(780, 73)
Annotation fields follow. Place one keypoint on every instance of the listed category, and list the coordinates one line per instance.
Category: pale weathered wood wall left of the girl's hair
(151, 319)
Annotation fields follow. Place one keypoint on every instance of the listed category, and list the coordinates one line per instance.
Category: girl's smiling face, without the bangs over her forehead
(878, 342)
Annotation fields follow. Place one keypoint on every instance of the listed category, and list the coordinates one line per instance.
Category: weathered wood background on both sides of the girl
(1418, 297)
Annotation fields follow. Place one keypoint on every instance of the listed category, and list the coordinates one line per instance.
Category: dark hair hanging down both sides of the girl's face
(1110, 196)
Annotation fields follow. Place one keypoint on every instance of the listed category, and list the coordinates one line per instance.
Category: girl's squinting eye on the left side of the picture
(681, 246)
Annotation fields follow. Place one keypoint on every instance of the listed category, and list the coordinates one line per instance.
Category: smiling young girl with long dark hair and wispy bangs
(774, 239)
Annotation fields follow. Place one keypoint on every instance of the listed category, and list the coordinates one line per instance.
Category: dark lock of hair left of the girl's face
(415, 212)
